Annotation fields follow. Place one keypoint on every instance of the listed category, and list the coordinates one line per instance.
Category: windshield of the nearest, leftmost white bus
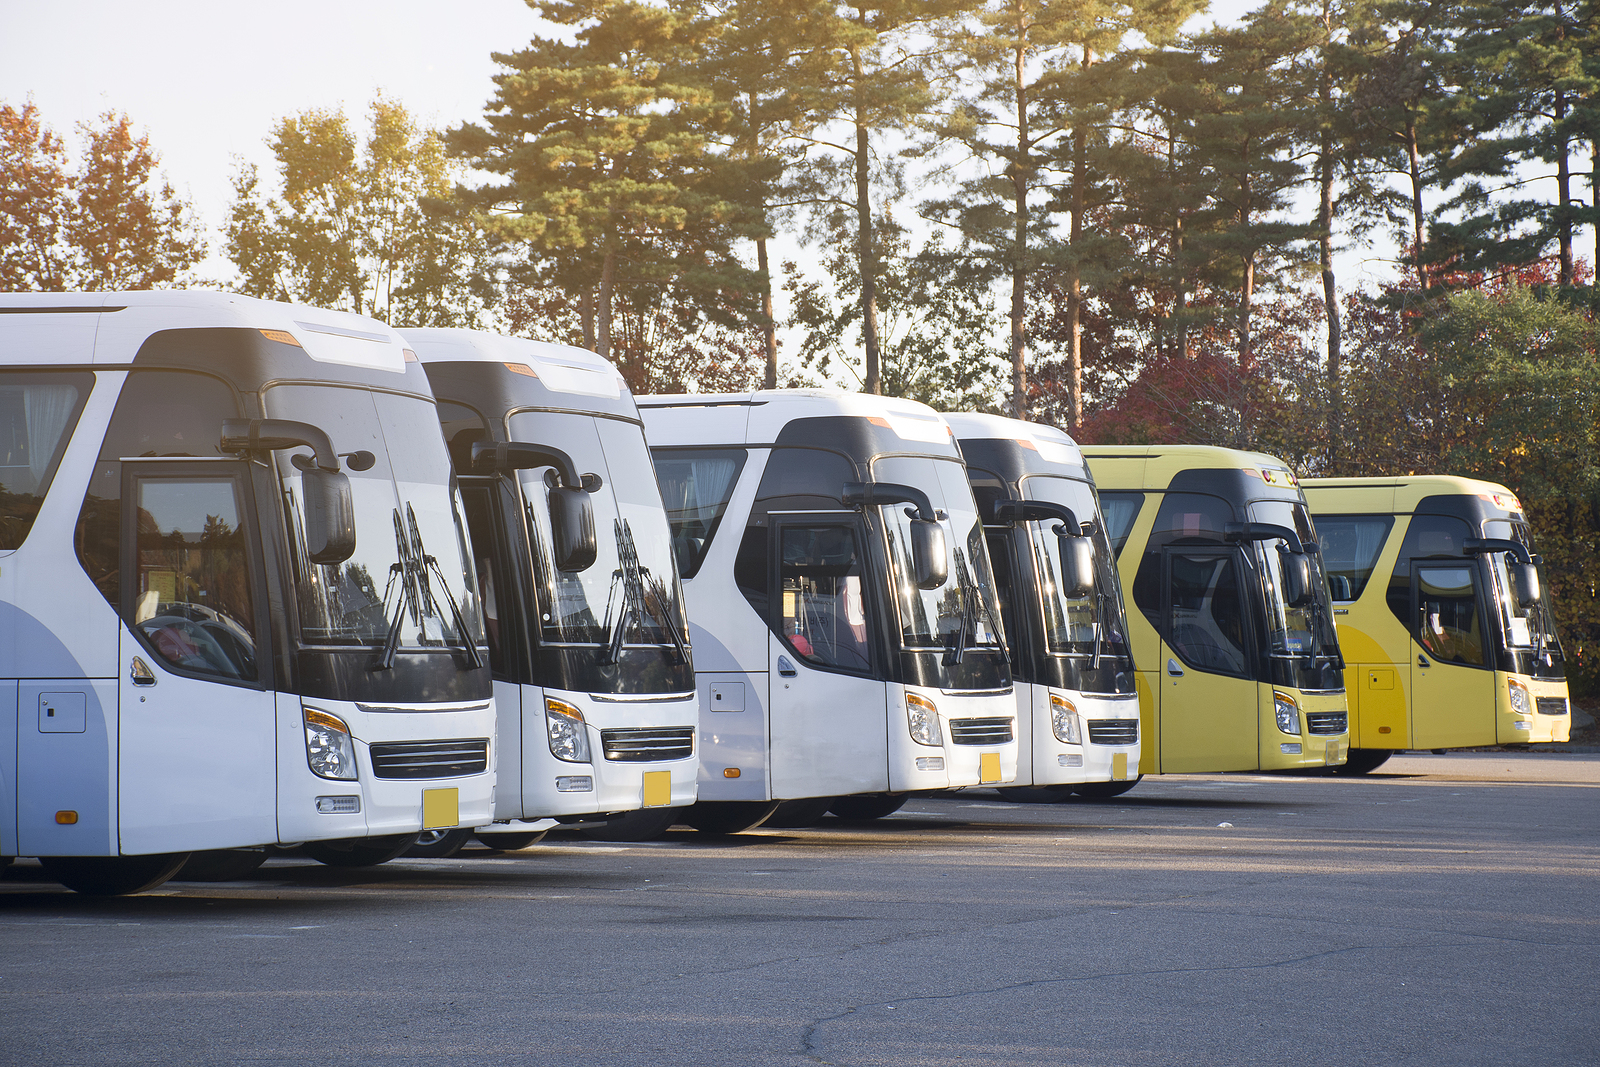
(412, 565)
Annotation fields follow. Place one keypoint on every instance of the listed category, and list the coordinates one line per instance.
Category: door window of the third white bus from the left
(823, 612)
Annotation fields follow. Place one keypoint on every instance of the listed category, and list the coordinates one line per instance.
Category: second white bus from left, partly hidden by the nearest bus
(588, 642)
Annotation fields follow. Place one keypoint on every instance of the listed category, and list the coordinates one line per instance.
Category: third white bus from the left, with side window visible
(847, 637)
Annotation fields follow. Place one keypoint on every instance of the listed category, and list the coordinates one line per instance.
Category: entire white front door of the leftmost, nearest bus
(198, 753)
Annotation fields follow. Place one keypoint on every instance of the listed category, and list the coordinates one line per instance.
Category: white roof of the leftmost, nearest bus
(110, 329)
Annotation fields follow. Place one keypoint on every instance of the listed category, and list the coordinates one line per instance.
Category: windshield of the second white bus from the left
(631, 593)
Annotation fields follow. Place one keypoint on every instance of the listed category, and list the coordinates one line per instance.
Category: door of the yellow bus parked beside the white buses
(1207, 689)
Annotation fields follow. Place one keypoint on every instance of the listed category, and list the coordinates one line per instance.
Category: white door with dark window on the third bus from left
(828, 713)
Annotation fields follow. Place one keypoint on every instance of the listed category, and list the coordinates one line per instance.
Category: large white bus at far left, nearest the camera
(236, 594)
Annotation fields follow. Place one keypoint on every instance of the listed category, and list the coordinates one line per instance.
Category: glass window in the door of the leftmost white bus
(194, 593)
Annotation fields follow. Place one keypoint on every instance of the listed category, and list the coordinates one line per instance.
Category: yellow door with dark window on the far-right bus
(1452, 677)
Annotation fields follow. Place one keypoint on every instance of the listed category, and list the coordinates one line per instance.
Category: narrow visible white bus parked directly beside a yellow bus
(1078, 706)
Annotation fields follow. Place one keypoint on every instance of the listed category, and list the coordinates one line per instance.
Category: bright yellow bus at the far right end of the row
(1454, 645)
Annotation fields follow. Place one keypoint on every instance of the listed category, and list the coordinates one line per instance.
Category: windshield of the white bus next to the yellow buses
(1089, 628)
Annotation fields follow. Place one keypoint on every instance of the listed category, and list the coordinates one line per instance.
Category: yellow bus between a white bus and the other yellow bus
(1233, 629)
